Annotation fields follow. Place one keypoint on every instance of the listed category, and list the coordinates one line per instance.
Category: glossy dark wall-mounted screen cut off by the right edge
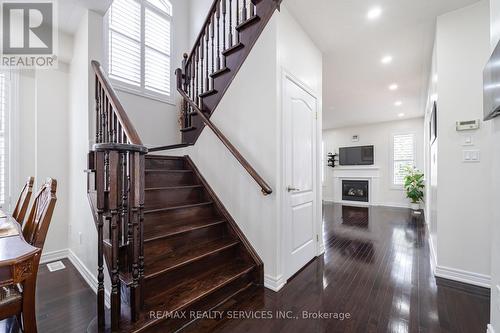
(491, 89)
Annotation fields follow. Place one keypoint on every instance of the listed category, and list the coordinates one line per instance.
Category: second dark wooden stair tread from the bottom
(185, 255)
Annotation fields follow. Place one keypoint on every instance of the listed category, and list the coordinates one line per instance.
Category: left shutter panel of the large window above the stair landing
(125, 42)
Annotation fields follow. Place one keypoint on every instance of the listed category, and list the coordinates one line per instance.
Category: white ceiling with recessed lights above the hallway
(355, 83)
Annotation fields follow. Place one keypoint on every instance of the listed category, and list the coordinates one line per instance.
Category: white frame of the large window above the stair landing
(142, 90)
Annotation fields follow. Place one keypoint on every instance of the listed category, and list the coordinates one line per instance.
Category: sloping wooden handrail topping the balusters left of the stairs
(119, 111)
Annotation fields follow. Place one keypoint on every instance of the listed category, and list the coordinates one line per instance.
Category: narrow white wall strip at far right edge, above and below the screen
(494, 183)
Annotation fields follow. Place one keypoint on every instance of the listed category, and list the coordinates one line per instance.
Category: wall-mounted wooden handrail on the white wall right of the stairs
(266, 189)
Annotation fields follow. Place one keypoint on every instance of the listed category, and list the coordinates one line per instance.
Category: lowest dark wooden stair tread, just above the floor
(194, 288)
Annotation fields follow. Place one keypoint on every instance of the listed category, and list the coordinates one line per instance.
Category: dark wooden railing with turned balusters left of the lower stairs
(119, 165)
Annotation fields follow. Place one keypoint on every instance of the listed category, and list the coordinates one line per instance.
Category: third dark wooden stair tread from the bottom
(177, 227)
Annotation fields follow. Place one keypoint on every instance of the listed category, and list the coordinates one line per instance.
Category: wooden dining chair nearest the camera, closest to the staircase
(19, 299)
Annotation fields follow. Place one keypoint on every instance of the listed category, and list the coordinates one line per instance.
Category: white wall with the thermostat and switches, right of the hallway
(463, 207)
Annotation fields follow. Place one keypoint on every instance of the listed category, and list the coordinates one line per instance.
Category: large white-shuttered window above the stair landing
(139, 38)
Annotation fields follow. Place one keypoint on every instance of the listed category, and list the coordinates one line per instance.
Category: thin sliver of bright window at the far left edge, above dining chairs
(4, 137)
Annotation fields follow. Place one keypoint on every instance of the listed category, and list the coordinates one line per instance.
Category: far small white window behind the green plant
(403, 154)
